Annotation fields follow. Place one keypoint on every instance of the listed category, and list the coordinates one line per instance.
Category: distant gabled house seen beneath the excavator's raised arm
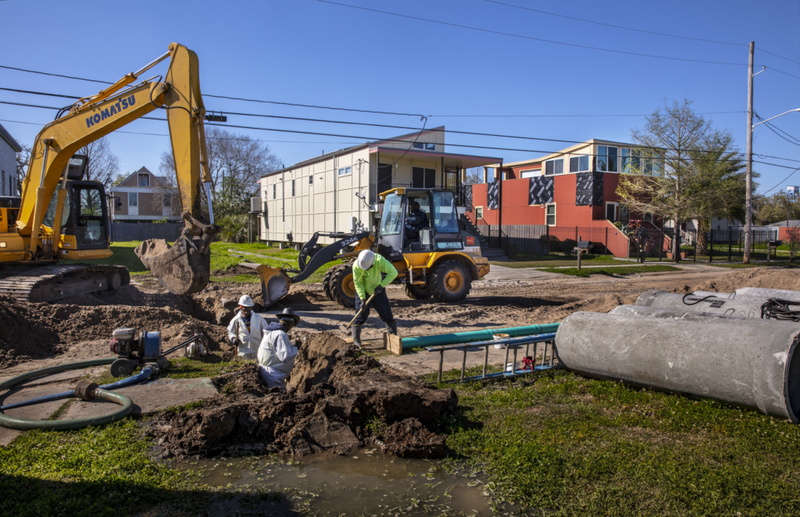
(144, 197)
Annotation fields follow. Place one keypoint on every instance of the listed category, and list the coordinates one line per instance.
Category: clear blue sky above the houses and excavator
(470, 65)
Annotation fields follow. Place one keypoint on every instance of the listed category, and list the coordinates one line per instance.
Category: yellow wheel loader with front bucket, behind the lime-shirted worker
(433, 261)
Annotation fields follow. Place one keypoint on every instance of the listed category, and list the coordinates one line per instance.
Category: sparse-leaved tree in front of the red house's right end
(663, 179)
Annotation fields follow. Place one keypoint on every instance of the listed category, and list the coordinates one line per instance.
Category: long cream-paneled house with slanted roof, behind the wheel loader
(335, 191)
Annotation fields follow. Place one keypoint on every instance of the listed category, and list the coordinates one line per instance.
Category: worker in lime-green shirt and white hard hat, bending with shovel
(371, 274)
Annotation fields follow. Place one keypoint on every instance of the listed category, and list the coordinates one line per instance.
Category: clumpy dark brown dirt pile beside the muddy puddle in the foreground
(337, 401)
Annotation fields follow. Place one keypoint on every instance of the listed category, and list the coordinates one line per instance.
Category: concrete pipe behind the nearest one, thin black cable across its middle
(747, 307)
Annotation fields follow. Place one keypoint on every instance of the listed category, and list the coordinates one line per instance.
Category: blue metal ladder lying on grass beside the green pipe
(548, 361)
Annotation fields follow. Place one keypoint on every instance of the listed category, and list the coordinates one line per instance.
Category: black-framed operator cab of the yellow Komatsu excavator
(84, 221)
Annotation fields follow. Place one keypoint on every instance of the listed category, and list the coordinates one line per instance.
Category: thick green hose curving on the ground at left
(21, 424)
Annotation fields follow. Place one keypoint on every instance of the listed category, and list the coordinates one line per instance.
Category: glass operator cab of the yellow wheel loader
(400, 233)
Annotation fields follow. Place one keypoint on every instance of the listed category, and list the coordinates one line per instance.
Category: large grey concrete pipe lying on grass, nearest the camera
(747, 363)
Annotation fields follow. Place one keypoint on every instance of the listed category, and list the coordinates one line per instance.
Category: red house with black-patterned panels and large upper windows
(569, 194)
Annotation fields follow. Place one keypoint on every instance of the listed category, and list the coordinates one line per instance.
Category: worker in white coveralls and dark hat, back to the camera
(276, 354)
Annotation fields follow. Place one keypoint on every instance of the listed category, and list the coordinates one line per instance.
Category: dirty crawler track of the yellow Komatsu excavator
(59, 282)
